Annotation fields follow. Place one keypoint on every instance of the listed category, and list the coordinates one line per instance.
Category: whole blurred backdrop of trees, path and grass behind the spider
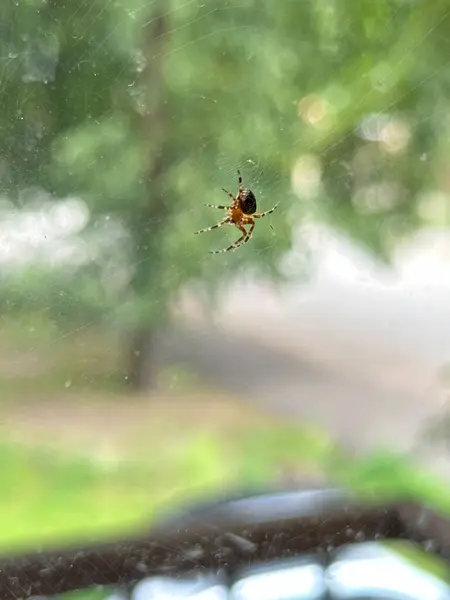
(137, 370)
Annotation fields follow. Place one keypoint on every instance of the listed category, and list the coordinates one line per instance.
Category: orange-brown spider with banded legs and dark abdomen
(240, 213)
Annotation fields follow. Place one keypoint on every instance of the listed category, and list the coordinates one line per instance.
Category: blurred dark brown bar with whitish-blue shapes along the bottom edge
(308, 544)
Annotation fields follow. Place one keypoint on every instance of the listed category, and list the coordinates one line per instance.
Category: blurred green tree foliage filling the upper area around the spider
(146, 109)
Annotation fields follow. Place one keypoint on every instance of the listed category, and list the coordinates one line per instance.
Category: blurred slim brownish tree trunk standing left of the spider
(147, 227)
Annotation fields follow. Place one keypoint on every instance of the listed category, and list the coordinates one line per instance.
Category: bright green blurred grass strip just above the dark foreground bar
(48, 498)
